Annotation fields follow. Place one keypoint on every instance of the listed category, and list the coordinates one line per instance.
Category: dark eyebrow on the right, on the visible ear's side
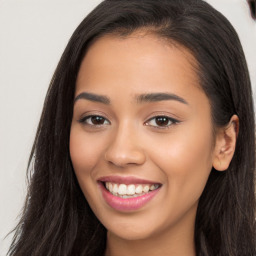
(154, 97)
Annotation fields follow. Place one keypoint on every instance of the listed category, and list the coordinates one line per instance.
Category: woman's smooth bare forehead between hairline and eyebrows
(136, 64)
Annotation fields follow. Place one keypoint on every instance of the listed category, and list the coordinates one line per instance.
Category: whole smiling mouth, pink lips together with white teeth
(127, 193)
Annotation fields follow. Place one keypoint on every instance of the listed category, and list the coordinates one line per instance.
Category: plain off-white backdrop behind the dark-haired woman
(33, 35)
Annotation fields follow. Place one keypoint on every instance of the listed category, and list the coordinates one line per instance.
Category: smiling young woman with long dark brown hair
(146, 143)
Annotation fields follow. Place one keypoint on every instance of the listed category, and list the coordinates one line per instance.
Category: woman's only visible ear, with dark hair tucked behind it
(225, 144)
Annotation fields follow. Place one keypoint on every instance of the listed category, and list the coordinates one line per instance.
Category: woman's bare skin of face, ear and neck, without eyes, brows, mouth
(129, 142)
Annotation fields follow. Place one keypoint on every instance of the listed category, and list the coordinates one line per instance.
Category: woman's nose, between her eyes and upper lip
(124, 148)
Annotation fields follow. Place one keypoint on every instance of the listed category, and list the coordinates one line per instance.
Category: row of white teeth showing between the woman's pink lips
(131, 190)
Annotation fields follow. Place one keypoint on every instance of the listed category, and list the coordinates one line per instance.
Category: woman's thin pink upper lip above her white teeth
(125, 180)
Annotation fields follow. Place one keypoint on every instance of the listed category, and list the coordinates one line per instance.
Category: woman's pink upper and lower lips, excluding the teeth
(126, 204)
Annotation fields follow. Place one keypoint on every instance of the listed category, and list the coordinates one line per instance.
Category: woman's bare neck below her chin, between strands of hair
(178, 241)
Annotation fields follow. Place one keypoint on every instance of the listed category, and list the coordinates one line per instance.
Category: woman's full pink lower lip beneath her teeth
(126, 204)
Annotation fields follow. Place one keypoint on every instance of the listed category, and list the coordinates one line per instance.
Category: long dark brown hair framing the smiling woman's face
(57, 219)
